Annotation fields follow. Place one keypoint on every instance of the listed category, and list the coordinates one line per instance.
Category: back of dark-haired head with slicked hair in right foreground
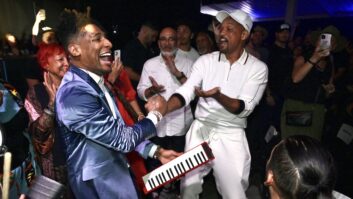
(300, 168)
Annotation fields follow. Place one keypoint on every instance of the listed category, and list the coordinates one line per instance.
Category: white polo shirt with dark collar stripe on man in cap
(245, 79)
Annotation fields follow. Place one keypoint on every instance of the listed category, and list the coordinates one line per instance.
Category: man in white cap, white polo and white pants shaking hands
(230, 83)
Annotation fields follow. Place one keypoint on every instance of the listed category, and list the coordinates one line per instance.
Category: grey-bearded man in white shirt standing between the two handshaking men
(162, 75)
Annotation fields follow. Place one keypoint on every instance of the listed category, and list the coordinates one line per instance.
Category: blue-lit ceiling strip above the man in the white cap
(265, 10)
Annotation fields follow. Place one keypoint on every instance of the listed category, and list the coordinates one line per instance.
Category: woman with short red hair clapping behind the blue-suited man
(40, 106)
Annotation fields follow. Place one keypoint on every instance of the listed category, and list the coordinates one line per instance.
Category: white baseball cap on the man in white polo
(239, 16)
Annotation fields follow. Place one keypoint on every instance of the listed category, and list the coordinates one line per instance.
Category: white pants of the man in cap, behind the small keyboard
(231, 165)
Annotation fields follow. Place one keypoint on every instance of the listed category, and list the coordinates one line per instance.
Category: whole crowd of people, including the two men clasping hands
(272, 114)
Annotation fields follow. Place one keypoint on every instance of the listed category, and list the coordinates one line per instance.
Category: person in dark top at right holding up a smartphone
(312, 82)
